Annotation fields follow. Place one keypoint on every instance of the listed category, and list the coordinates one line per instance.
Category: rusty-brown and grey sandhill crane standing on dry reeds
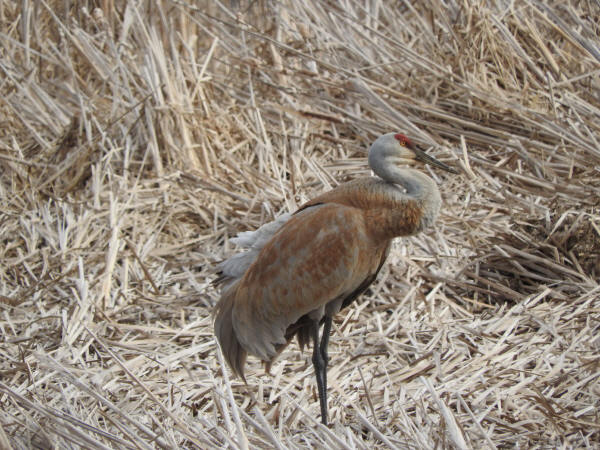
(301, 269)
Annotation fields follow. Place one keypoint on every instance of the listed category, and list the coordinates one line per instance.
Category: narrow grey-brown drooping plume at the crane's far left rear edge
(234, 353)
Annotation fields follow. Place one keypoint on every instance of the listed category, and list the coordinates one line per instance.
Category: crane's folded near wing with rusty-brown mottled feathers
(320, 254)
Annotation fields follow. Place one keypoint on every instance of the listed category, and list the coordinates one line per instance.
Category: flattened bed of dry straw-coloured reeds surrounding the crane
(138, 137)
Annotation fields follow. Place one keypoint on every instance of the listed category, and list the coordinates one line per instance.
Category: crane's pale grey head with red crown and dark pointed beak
(396, 148)
